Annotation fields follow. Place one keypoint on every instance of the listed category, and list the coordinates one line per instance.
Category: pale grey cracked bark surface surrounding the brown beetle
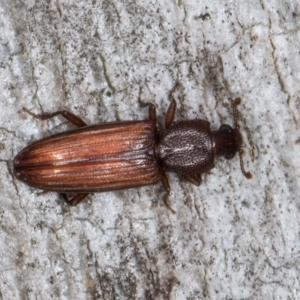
(231, 238)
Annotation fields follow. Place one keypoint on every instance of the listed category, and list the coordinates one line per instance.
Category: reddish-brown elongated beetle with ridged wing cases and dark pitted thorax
(127, 154)
